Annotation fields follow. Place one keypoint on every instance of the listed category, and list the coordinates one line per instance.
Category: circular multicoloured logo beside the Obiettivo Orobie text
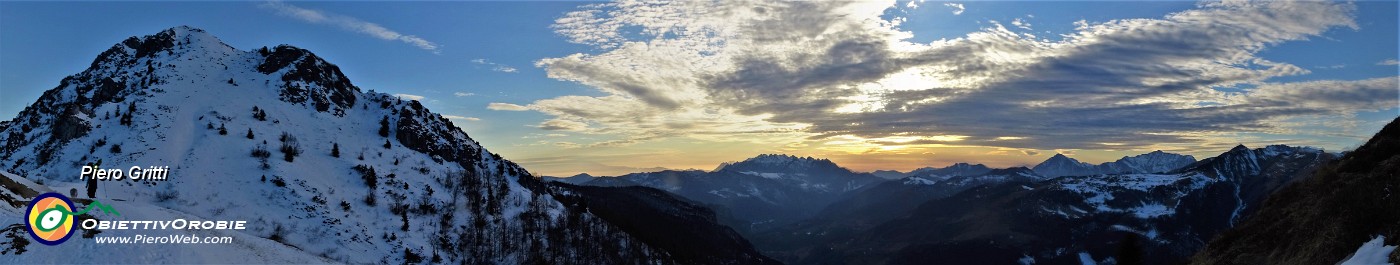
(50, 218)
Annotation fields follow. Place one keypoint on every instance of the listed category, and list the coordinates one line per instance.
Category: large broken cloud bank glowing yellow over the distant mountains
(839, 74)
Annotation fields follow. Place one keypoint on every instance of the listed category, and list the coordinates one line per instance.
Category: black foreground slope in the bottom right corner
(1324, 219)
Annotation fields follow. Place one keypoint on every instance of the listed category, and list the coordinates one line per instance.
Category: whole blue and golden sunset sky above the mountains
(617, 88)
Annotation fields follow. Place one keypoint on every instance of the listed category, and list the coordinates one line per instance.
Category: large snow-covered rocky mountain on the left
(433, 194)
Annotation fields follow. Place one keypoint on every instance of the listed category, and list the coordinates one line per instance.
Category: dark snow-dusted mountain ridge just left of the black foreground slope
(1059, 221)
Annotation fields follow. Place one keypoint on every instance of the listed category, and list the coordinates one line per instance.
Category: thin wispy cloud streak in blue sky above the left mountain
(348, 23)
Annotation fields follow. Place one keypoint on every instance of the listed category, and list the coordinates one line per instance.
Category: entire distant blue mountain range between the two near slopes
(790, 210)
